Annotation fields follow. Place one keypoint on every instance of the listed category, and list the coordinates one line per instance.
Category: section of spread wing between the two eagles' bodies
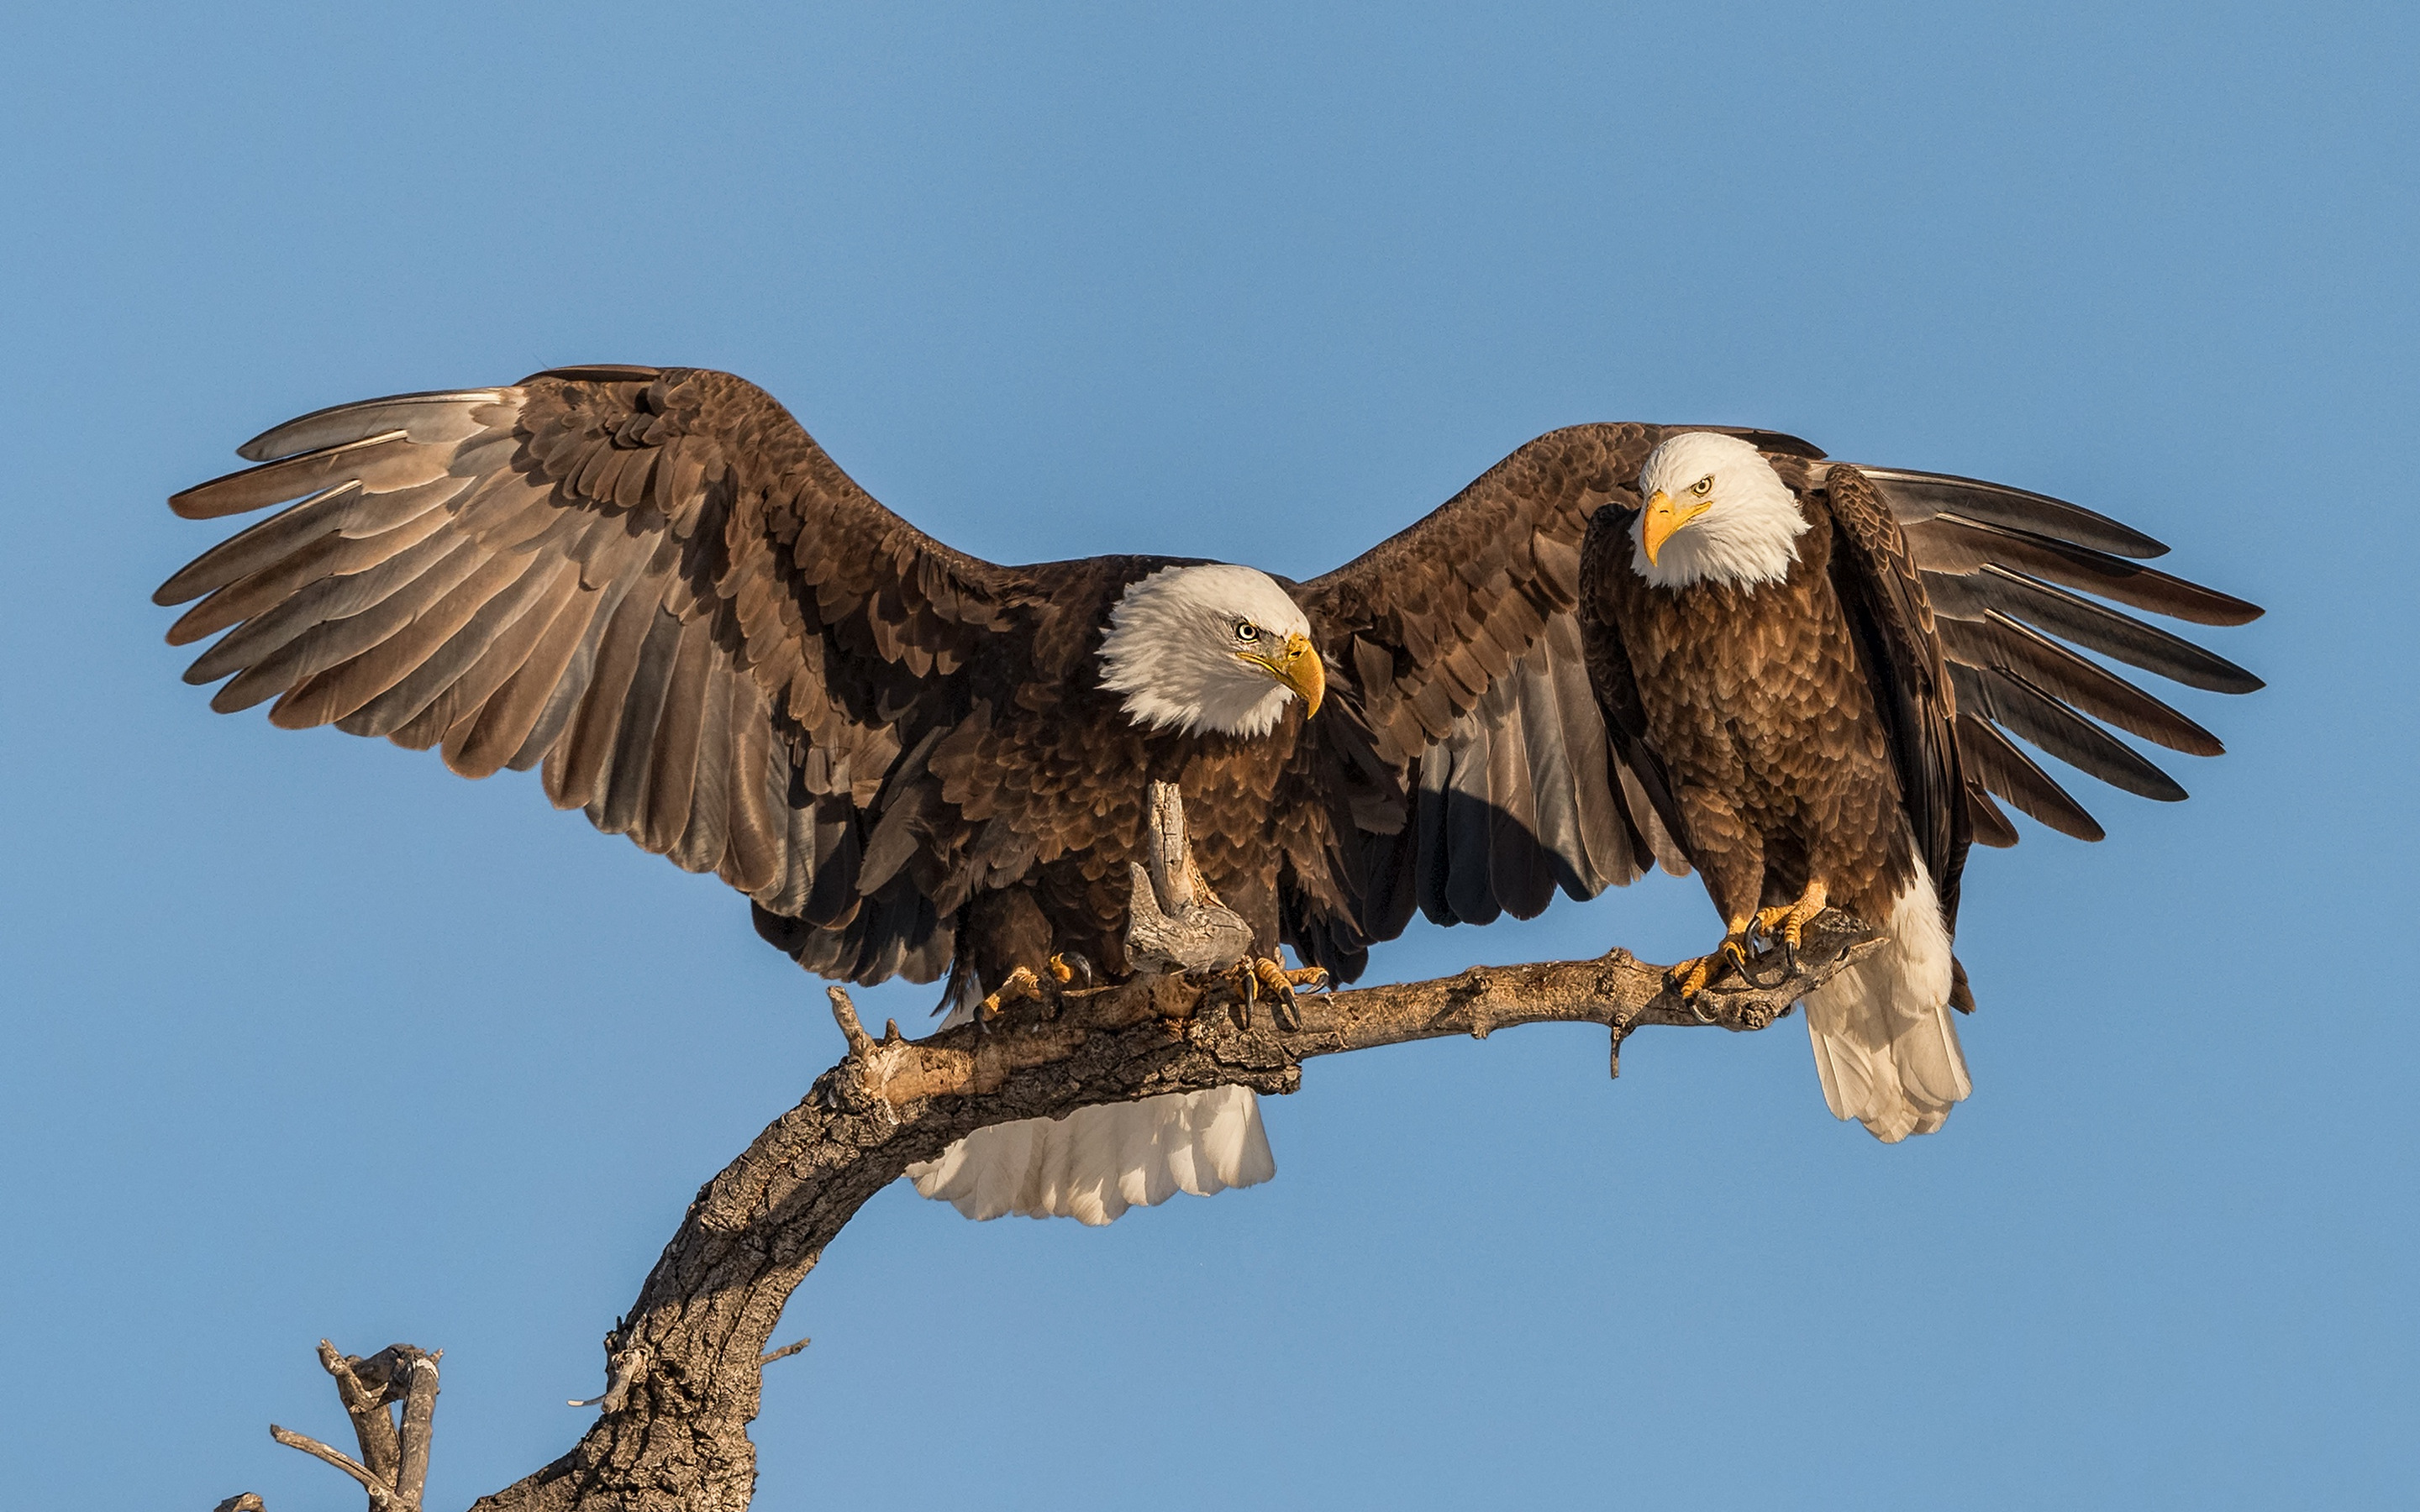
(1468, 768)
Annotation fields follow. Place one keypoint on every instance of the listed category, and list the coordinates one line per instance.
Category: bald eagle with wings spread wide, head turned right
(662, 594)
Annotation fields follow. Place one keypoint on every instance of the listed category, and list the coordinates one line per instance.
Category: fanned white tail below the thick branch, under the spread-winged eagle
(1097, 1162)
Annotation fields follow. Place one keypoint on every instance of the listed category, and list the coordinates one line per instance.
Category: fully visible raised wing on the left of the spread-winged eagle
(652, 584)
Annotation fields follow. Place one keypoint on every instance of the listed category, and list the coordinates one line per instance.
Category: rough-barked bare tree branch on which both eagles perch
(684, 1366)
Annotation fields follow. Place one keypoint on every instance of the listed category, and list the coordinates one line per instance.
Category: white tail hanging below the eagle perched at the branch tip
(1884, 1039)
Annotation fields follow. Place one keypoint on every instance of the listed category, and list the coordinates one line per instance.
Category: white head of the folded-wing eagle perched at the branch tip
(1715, 514)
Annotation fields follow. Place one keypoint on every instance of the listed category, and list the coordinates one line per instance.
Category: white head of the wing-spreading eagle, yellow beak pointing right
(1211, 650)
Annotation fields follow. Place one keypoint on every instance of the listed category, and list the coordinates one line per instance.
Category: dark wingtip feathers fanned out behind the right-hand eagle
(1998, 572)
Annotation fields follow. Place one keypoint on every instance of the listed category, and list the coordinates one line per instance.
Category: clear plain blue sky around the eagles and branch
(311, 1039)
